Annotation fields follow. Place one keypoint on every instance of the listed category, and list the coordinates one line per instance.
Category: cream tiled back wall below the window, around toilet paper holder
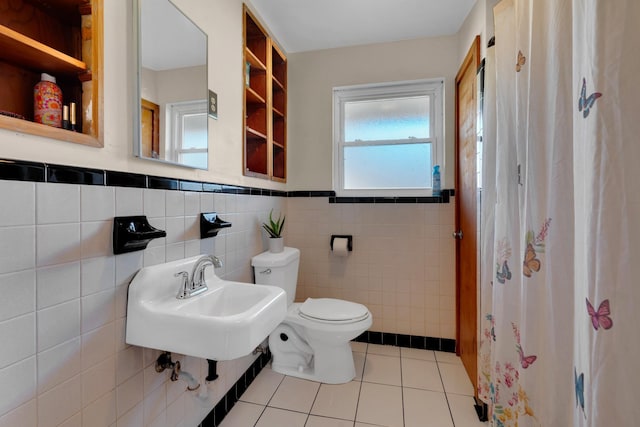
(402, 266)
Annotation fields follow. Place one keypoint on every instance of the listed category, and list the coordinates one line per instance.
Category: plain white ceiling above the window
(303, 25)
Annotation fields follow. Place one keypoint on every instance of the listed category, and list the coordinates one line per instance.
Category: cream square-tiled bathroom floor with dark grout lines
(394, 387)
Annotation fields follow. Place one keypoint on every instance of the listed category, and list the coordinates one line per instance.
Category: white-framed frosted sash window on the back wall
(387, 137)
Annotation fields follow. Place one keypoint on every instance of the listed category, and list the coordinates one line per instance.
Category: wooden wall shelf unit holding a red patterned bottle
(62, 38)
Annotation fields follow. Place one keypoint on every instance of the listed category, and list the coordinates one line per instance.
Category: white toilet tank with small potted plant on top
(278, 269)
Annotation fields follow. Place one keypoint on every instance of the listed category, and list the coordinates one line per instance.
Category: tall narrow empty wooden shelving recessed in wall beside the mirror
(265, 103)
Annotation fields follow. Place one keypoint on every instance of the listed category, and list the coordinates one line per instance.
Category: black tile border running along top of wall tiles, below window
(19, 170)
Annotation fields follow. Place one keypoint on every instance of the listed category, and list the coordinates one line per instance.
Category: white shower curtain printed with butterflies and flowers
(561, 215)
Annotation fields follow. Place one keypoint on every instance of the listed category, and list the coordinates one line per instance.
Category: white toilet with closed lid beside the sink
(313, 340)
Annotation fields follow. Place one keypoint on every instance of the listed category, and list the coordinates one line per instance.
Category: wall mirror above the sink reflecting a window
(171, 91)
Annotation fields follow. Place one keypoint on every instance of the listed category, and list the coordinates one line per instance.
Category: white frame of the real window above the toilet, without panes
(434, 88)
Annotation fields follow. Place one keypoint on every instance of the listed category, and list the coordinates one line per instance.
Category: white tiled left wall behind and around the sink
(63, 311)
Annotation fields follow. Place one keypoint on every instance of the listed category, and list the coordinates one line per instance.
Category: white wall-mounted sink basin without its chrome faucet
(227, 321)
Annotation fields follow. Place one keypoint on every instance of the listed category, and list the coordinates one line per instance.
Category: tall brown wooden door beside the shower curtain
(467, 212)
